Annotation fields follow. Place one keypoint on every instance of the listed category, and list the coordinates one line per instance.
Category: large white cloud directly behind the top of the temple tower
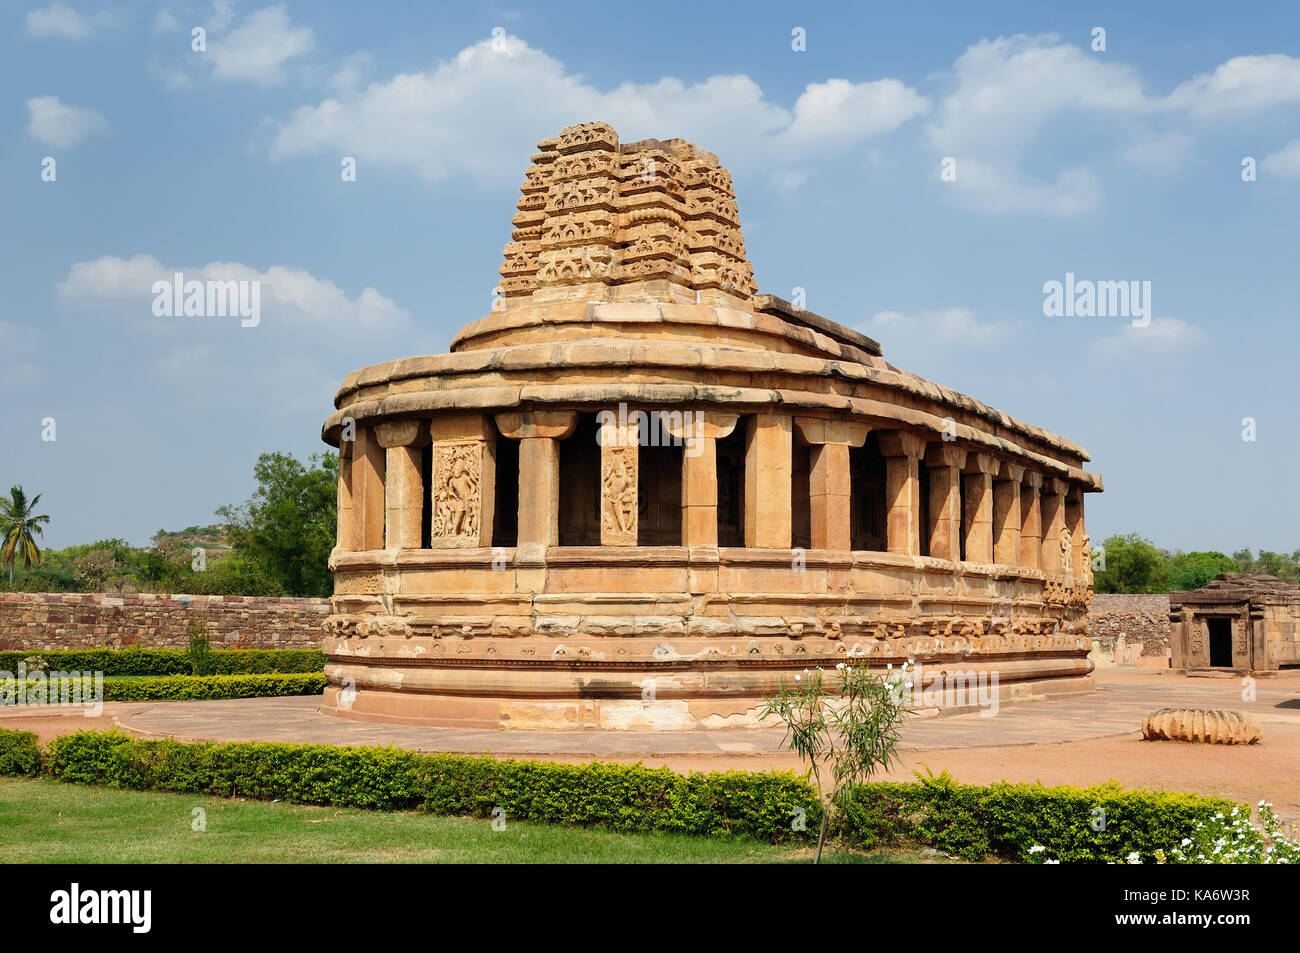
(434, 123)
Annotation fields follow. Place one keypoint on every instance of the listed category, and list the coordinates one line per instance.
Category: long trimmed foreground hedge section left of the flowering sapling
(618, 798)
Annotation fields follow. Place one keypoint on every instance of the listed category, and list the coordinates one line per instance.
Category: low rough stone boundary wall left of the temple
(81, 621)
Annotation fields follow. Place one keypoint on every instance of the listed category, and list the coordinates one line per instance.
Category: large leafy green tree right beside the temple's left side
(285, 532)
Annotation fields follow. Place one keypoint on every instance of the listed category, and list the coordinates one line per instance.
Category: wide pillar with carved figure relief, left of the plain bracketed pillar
(463, 495)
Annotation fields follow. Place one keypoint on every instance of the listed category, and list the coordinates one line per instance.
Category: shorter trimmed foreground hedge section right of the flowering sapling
(1008, 820)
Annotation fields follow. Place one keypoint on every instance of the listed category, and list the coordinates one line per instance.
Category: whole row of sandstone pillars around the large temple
(978, 506)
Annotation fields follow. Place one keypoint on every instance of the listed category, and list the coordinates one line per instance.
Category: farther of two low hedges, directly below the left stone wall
(114, 662)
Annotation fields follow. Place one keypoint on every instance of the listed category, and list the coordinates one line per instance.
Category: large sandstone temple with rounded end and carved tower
(639, 495)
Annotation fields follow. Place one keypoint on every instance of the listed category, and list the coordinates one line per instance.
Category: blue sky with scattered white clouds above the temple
(1123, 164)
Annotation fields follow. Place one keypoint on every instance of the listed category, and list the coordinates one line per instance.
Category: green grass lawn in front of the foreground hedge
(44, 821)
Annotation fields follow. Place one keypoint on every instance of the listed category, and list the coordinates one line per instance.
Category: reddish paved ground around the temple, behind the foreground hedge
(1076, 740)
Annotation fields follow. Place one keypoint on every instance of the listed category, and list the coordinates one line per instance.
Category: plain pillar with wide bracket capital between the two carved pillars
(539, 435)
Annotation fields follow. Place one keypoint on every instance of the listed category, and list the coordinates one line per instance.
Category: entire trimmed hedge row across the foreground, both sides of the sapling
(968, 821)
